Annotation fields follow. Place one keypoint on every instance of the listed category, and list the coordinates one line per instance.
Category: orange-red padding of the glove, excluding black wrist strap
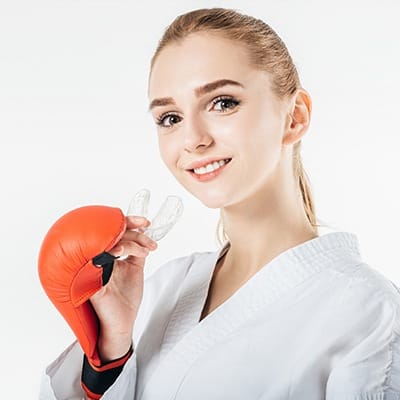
(70, 270)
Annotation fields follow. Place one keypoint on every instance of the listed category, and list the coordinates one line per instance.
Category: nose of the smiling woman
(196, 134)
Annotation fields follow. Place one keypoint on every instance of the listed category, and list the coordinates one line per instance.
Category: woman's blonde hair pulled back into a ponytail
(267, 52)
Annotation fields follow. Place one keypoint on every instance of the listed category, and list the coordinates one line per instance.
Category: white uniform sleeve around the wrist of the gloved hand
(62, 378)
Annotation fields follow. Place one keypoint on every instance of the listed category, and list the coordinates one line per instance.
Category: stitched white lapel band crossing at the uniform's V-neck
(285, 271)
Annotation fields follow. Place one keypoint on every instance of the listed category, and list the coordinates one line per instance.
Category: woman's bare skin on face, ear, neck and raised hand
(259, 199)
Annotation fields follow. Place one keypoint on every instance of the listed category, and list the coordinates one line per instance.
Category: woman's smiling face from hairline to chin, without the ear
(211, 104)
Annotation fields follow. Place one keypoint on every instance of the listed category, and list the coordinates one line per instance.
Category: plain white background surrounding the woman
(74, 130)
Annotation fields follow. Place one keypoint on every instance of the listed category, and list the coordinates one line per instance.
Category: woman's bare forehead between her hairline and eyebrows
(198, 59)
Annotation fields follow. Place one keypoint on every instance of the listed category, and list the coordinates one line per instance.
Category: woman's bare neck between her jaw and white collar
(261, 228)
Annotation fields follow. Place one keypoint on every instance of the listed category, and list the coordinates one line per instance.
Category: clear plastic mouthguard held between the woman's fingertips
(165, 219)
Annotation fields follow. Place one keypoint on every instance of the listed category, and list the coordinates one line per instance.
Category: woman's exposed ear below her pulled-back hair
(298, 118)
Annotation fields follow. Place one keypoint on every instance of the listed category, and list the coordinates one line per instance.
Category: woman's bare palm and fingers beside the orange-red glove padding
(117, 303)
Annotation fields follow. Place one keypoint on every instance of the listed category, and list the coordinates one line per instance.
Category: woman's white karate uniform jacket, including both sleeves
(314, 323)
